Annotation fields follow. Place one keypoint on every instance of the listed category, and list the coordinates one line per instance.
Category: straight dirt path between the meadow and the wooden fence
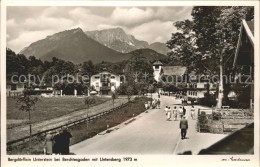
(22, 131)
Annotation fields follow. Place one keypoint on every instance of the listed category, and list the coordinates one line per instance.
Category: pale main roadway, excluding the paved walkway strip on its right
(150, 133)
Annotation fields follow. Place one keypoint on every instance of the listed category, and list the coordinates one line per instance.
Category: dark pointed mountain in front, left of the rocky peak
(72, 45)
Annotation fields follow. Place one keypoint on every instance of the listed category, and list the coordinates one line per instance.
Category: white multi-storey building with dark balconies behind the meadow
(105, 82)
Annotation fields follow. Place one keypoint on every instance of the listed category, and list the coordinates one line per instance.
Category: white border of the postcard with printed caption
(143, 160)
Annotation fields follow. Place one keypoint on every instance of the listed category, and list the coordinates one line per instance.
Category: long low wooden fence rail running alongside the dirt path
(88, 118)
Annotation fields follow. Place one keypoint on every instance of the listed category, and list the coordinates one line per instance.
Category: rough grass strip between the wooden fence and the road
(86, 130)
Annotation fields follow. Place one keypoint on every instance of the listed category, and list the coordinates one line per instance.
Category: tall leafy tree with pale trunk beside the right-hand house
(217, 30)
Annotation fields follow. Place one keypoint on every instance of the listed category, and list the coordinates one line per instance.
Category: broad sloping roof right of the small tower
(174, 70)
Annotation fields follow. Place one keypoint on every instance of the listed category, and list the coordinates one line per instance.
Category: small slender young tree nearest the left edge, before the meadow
(26, 102)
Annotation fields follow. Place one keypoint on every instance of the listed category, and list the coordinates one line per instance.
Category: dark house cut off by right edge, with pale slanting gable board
(244, 56)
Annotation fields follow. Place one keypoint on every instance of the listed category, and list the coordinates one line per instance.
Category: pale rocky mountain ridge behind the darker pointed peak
(117, 39)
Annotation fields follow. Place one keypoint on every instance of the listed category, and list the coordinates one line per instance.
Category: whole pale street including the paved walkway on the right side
(149, 133)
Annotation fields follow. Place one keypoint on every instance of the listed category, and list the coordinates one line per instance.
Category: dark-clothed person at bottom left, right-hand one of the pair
(65, 141)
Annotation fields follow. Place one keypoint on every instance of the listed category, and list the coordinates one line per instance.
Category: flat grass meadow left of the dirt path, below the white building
(46, 109)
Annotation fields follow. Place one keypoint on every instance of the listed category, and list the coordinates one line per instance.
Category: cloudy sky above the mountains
(26, 25)
